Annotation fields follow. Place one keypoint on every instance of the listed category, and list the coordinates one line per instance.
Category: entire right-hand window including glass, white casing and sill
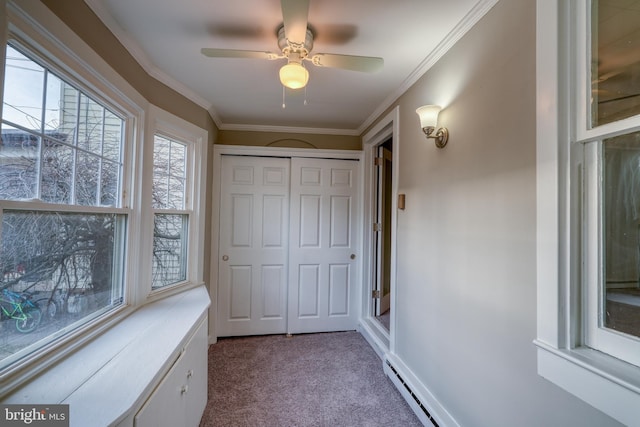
(588, 147)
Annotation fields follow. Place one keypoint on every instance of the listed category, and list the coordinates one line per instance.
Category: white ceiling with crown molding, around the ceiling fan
(246, 94)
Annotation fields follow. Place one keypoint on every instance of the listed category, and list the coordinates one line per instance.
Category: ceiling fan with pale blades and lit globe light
(295, 41)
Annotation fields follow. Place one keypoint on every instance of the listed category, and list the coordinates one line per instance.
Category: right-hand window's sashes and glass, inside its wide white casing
(612, 179)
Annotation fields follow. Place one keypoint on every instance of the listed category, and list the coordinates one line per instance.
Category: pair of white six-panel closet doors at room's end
(288, 245)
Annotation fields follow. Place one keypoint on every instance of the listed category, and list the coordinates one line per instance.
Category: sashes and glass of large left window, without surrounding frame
(63, 233)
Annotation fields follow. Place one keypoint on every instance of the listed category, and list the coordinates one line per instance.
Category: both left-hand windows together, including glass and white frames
(101, 197)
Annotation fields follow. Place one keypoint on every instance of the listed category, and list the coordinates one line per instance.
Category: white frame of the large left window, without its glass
(58, 58)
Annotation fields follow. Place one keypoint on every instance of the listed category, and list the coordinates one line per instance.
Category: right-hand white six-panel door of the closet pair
(323, 246)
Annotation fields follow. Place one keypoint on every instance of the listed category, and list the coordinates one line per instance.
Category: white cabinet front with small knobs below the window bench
(180, 398)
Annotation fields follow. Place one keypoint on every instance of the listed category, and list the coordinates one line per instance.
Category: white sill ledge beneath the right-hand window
(606, 383)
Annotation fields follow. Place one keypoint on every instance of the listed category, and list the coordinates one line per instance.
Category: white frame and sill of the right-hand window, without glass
(564, 151)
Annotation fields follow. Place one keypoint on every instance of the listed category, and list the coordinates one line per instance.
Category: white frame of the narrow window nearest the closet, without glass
(172, 127)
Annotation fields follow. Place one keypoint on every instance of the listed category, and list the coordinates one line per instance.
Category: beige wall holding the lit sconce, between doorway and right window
(466, 243)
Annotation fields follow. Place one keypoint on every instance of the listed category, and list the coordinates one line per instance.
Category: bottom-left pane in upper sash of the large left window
(19, 163)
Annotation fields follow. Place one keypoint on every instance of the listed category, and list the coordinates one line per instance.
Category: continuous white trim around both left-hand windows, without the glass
(64, 52)
